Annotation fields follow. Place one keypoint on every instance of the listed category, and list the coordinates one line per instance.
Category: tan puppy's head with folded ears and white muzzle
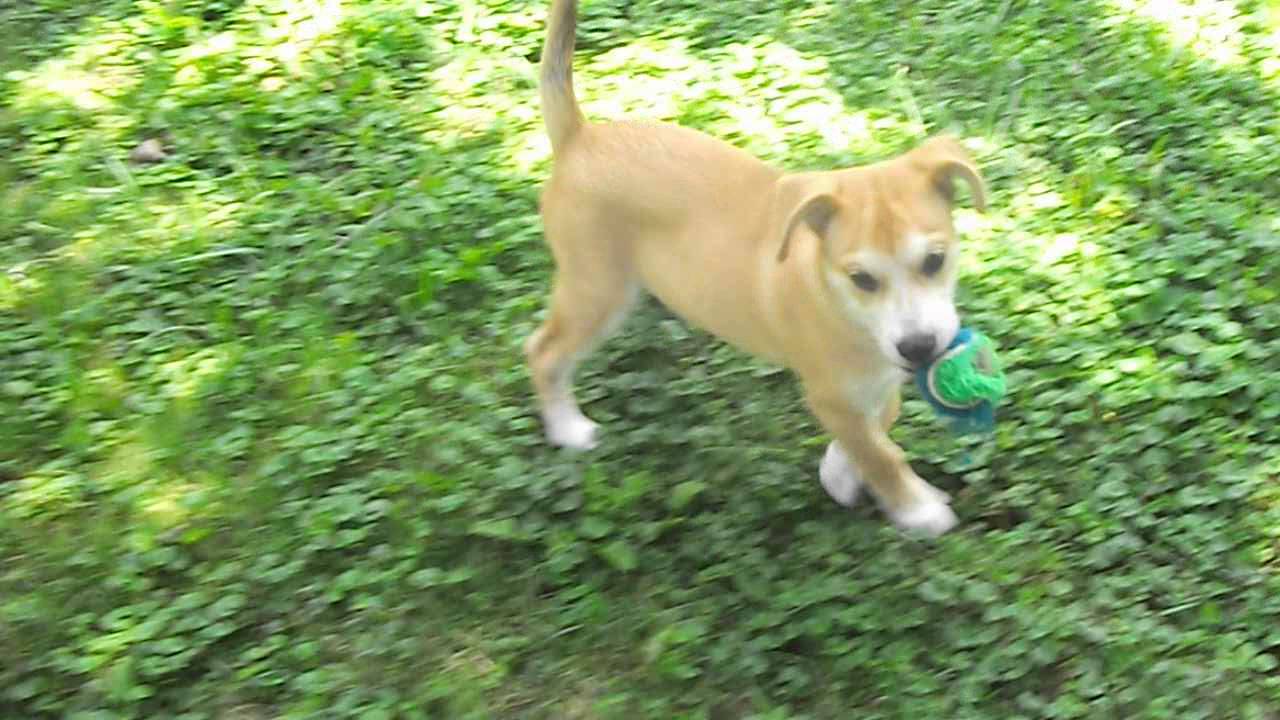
(889, 249)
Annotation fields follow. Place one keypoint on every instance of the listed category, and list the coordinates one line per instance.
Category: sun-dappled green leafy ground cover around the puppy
(267, 444)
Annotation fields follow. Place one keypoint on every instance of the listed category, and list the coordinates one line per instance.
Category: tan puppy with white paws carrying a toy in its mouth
(844, 277)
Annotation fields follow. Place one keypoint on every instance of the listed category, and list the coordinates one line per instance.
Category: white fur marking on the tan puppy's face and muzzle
(907, 303)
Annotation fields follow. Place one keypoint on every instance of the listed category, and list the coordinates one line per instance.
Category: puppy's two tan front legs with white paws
(862, 452)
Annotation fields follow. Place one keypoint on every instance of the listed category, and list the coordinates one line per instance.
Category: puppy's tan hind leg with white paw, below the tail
(587, 304)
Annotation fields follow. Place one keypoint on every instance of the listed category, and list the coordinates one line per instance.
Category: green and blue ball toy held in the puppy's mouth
(966, 384)
